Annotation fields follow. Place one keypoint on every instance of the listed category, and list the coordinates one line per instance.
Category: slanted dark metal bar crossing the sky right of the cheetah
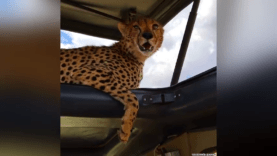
(185, 43)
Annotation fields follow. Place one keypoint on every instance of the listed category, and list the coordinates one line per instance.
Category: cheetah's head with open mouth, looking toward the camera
(144, 36)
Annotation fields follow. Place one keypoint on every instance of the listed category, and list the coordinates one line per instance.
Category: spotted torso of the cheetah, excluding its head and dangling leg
(117, 64)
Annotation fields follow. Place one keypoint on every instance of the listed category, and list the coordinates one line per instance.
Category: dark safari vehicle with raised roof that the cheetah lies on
(180, 117)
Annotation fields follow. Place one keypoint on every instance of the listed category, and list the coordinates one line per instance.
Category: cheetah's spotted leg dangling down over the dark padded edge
(103, 80)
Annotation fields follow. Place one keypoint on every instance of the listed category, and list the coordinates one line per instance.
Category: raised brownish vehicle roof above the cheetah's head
(76, 19)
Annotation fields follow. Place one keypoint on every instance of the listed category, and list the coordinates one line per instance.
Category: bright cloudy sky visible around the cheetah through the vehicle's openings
(159, 68)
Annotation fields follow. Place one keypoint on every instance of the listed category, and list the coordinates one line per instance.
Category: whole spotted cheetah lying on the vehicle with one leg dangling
(115, 69)
